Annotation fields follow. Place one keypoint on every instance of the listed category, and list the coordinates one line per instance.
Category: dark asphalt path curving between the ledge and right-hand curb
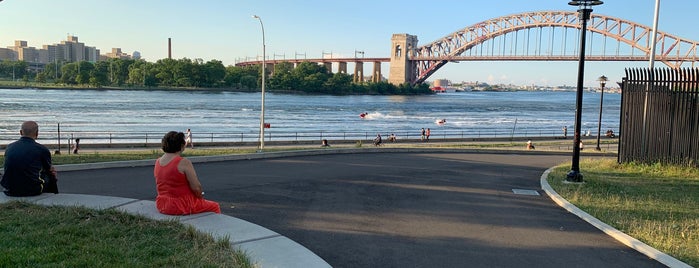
(395, 209)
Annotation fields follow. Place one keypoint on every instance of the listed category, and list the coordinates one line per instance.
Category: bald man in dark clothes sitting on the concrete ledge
(28, 169)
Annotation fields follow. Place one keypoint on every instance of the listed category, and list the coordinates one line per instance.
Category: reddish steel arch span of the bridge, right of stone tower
(671, 50)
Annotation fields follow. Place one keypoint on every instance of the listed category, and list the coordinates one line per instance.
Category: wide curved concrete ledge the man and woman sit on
(265, 247)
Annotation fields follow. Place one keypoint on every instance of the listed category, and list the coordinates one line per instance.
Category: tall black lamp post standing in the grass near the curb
(584, 10)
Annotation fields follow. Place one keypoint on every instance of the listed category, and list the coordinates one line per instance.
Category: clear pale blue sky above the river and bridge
(225, 30)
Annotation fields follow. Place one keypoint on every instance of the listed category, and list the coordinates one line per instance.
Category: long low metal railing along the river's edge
(117, 137)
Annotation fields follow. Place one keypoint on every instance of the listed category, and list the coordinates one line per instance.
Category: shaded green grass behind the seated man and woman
(56, 236)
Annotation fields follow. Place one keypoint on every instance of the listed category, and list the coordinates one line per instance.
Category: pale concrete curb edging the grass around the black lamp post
(609, 230)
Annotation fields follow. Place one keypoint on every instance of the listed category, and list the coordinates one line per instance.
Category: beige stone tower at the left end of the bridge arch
(402, 69)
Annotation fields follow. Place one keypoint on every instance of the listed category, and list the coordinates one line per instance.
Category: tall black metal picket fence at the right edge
(660, 116)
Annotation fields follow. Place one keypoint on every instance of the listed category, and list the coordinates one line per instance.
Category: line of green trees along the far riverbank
(306, 77)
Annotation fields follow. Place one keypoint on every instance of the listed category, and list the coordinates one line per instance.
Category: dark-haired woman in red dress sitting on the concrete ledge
(179, 189)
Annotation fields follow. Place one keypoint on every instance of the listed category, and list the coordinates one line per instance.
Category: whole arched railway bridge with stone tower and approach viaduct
(531, 36)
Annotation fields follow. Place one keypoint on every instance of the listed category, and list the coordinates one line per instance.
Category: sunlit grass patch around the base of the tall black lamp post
(656, 203)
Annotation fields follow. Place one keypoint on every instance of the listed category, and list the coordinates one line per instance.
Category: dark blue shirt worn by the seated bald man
(25, 161)
